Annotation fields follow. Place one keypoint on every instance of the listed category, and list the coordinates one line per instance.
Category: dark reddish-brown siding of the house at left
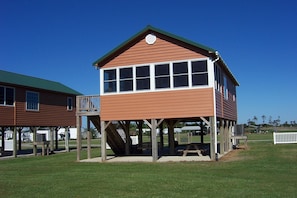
(52, 110)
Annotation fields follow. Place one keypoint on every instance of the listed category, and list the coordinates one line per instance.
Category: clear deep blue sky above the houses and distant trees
(60, 39)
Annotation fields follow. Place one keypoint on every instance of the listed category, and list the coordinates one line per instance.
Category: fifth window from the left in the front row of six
(180, 74)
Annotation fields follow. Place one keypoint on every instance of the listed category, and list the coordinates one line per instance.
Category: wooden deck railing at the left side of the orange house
(88, 104)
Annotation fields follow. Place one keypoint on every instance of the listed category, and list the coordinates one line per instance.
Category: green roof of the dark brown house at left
(33, 82)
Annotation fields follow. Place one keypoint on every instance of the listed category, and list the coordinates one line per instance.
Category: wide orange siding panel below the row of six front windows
(163, 104)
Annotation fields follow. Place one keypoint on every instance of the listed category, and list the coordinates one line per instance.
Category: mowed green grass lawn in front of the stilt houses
(263, 170)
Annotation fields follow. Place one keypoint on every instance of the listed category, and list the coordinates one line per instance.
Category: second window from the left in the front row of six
(126, 79)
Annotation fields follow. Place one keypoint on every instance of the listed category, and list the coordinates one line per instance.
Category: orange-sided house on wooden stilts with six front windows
(159, 79)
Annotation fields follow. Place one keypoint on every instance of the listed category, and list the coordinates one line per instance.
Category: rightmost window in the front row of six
(199, 73)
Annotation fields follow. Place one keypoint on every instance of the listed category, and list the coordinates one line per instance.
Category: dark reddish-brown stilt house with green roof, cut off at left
(27, 101)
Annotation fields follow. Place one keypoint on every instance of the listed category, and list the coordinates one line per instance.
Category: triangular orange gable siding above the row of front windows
(162, 50)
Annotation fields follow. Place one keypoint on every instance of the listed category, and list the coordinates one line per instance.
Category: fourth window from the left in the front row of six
(162, 76)
